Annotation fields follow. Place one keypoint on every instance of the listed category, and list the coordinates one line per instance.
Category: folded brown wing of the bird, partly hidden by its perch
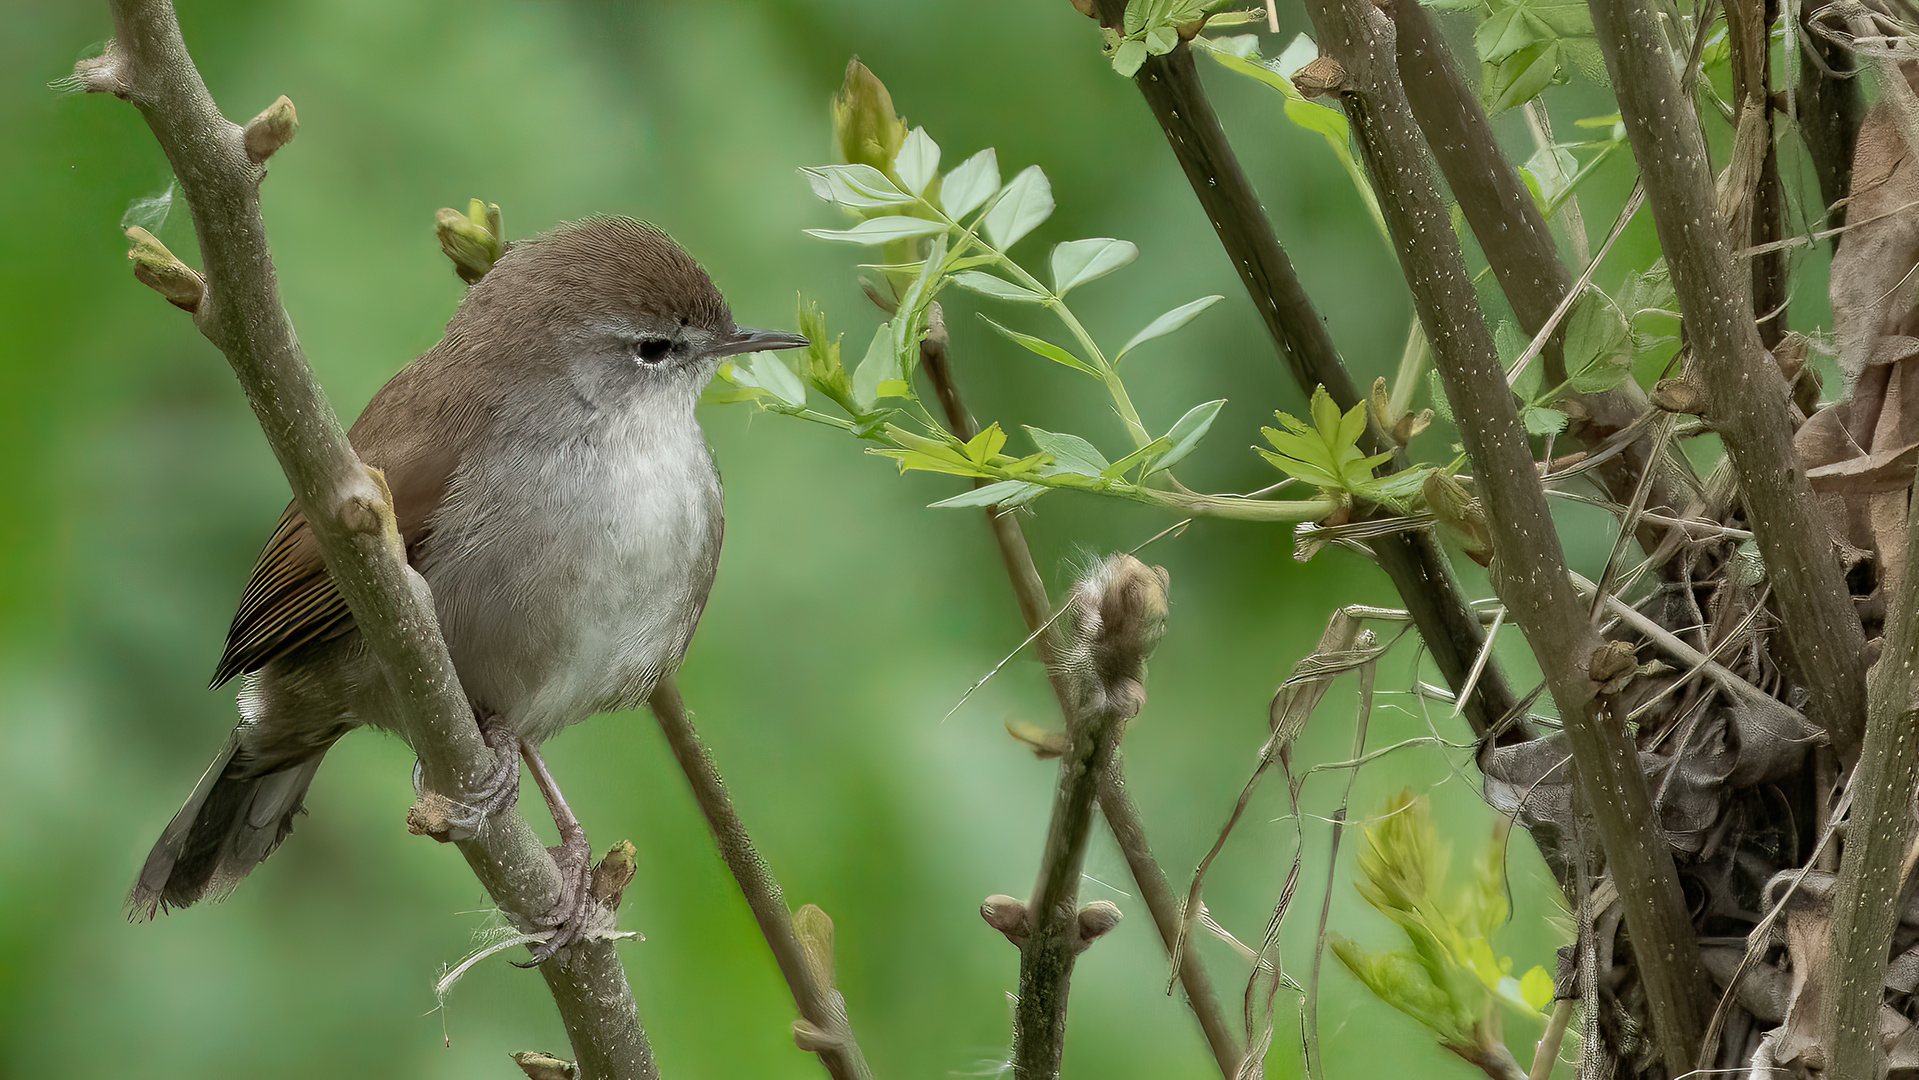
(291, 599)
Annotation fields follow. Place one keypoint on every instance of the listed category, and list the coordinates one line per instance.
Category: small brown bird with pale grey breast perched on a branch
(554, 488)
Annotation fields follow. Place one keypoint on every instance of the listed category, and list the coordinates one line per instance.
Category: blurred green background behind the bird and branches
(847, 619)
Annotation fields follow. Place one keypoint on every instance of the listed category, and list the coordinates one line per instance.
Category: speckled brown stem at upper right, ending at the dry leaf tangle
(1747, 396)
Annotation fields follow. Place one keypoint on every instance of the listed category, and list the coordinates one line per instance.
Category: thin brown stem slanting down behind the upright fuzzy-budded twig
(1116, 805)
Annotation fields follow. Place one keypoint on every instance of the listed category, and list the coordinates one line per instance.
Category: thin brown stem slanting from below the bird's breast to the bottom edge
(824, 1027)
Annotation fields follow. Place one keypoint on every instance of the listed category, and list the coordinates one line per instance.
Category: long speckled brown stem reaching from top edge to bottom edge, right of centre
(1530, 567)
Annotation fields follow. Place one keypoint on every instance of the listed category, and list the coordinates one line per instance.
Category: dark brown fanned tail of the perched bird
(237, 816)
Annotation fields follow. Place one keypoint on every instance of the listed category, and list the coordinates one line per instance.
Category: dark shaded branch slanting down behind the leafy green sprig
(1413, 561)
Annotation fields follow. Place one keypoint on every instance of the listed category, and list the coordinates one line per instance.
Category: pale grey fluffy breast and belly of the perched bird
(569, 573)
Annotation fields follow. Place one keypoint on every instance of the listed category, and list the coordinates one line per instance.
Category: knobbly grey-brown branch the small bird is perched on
(346, 504)
